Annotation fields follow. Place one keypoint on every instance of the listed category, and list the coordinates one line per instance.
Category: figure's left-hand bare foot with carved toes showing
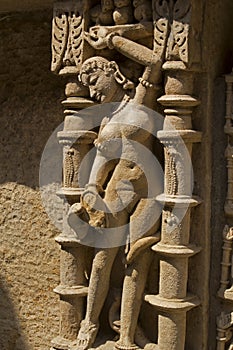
(86, 336)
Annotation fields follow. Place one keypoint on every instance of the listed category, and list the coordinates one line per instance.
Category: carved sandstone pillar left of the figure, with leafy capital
(69, 50)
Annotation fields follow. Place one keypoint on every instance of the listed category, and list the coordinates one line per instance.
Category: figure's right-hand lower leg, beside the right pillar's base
(133, 288)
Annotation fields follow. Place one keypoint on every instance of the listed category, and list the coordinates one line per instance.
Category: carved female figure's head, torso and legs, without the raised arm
(119, 201)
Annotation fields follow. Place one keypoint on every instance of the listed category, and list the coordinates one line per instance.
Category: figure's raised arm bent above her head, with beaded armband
(123, 39)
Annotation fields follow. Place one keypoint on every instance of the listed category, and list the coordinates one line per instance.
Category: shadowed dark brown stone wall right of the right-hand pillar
(210, 172)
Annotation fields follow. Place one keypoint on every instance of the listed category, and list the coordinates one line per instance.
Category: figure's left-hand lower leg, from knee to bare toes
(97, 292)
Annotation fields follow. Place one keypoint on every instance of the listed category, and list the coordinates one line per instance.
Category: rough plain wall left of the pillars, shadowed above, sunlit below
(29, 112)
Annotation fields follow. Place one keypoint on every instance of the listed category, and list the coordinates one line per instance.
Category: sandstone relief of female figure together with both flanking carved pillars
(113, 193)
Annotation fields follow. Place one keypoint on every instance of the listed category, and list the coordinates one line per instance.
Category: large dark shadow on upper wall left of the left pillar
(30, 95)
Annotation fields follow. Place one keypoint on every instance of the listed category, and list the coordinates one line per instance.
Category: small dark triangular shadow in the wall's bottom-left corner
(10, 339)
